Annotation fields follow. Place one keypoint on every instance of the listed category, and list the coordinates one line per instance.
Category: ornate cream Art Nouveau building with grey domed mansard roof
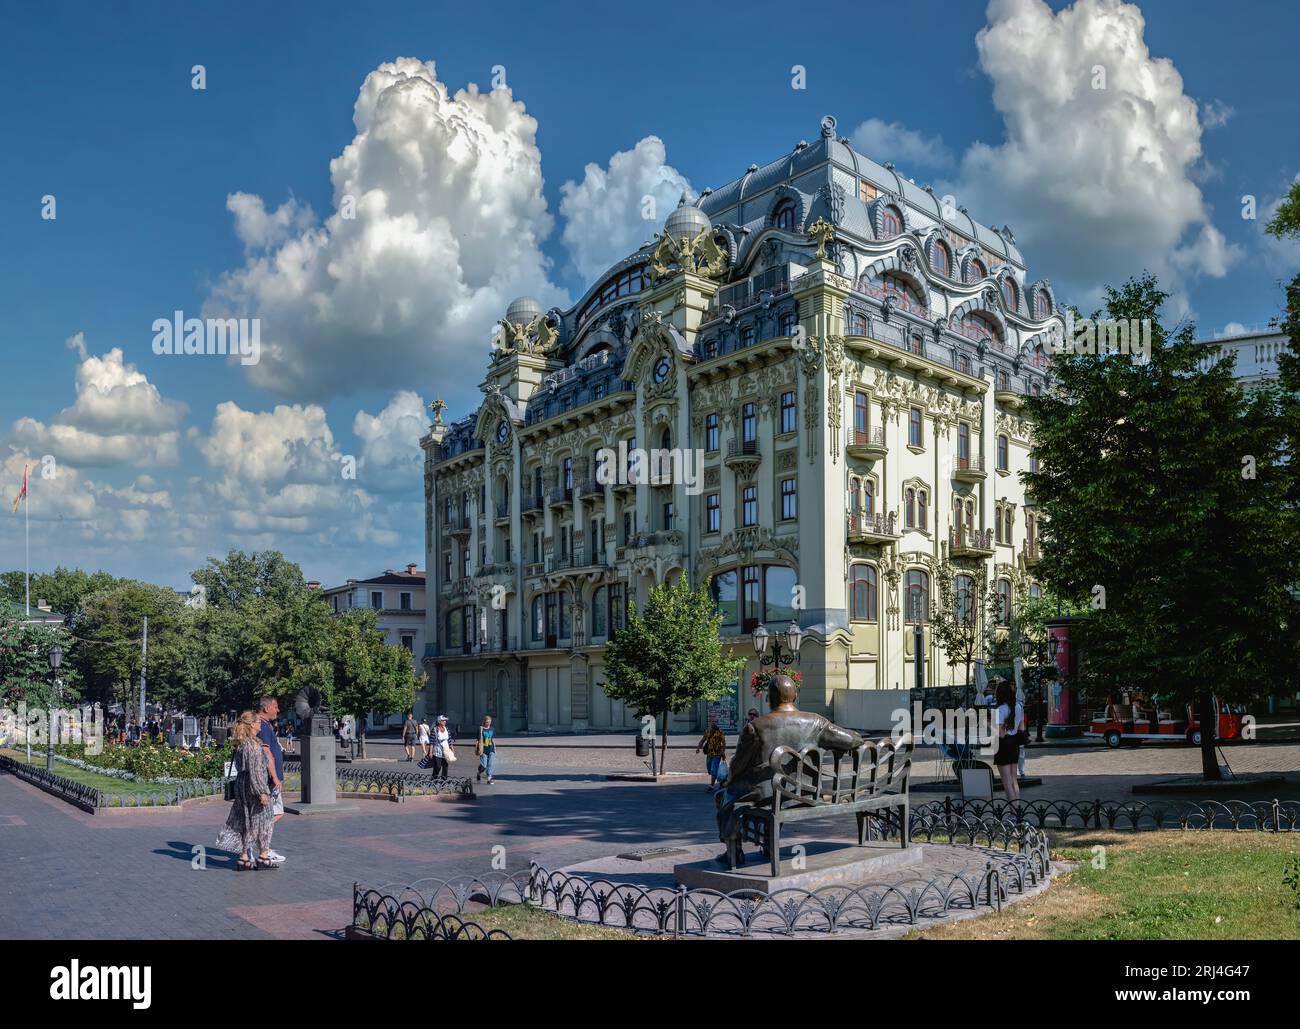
(848, 358)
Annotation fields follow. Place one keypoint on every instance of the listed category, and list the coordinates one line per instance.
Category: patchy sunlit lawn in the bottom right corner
(1167, 885)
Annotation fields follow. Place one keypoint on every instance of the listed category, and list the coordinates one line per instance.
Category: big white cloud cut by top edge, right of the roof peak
(1103, 179)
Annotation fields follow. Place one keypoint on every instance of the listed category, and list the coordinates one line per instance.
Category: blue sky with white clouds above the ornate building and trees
(166, 461)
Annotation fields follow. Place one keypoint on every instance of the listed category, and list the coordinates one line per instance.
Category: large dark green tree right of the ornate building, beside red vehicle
(1163, 492)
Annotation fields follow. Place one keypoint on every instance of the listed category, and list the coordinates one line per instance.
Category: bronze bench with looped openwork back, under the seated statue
(816, 784)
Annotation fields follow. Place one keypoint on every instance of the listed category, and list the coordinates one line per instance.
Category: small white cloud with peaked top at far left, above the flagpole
(119, 418)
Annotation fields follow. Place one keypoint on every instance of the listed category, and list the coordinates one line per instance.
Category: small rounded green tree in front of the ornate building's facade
(671, 657)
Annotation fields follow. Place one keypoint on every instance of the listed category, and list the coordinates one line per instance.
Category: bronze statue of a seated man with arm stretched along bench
(751, 776)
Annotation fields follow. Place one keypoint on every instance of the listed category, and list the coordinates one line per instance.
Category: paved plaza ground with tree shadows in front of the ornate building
(132, 875)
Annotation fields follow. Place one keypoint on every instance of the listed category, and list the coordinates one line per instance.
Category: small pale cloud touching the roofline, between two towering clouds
(613, 211)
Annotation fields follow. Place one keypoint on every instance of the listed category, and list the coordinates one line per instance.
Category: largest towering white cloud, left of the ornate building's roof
(437, 225)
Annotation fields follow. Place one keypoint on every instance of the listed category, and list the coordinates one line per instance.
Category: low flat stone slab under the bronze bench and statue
(824, 865)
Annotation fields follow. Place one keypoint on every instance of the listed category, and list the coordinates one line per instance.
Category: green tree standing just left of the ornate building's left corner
(369, 672)
